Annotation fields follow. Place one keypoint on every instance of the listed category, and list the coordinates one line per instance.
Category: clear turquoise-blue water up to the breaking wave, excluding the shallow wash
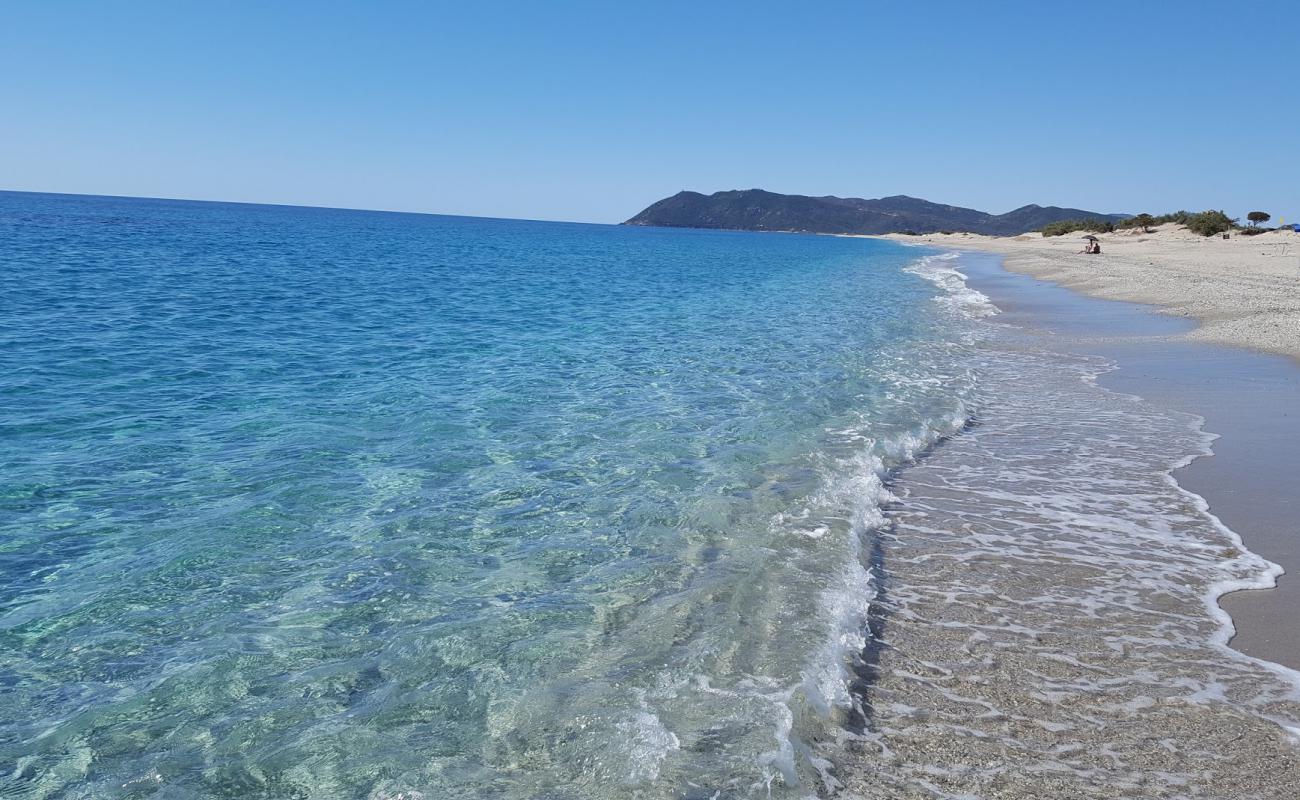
(327, 504)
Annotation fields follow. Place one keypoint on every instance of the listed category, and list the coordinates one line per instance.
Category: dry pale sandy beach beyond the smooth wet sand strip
(1243, 292)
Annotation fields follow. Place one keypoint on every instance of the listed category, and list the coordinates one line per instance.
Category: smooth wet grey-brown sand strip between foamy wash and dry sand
(1246, 400)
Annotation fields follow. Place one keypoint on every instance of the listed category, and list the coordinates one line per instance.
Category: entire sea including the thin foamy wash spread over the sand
(305, 503)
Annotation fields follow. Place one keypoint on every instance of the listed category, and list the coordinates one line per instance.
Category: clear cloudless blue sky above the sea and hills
(591, 111)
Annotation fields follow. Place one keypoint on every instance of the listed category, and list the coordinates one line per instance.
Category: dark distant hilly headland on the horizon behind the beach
(759, 210)
